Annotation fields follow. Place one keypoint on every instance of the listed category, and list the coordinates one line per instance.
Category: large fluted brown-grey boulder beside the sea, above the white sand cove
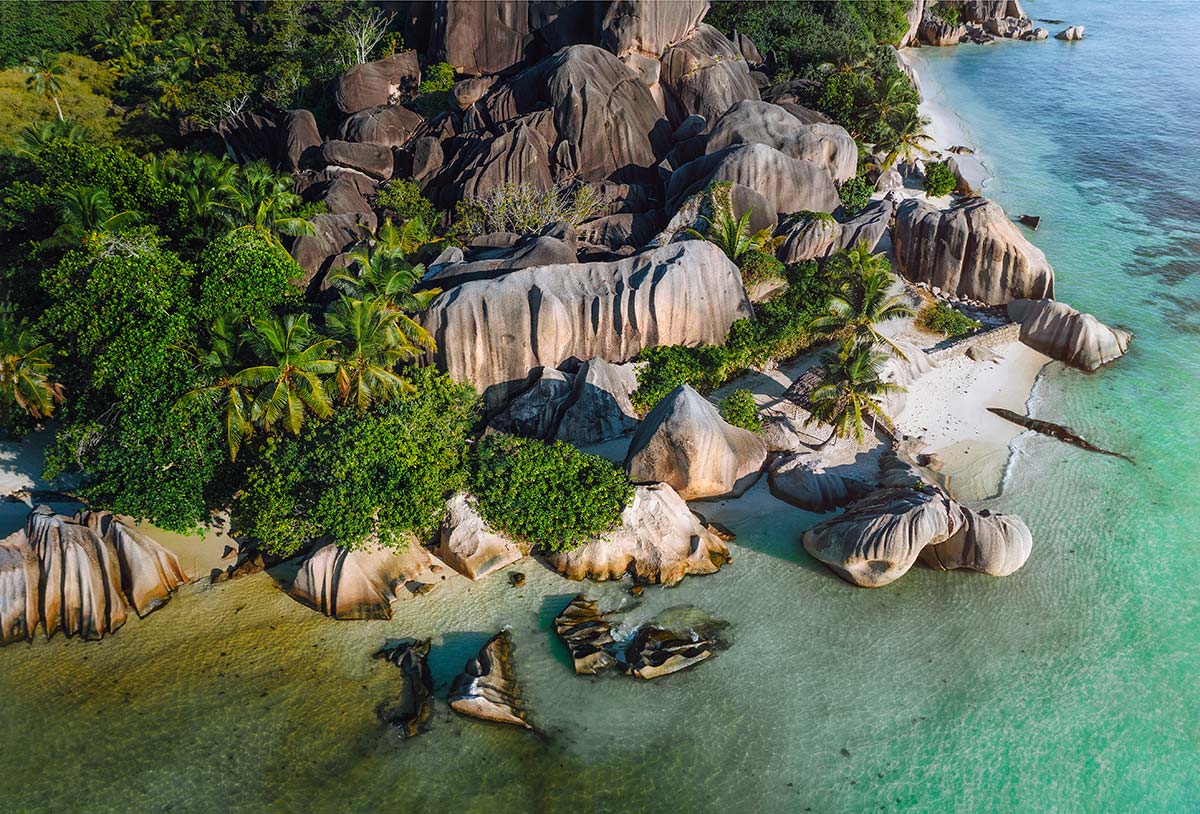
(971, 250)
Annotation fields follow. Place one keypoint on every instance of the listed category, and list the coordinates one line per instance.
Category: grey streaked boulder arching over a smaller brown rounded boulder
(791, 185)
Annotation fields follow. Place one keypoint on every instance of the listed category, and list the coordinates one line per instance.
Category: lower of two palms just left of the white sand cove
(851, 391)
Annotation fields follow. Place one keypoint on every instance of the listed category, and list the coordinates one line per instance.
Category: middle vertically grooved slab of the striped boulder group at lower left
(80, 577)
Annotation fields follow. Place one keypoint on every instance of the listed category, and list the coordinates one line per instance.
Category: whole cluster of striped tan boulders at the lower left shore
(81, 576)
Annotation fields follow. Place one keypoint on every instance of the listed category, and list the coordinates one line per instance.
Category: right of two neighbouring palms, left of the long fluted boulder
(369, 348)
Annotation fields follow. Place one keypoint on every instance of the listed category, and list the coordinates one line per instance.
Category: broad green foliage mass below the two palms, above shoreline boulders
(352, 480)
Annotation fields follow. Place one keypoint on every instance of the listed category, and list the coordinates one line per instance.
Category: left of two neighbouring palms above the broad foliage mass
(290, 379)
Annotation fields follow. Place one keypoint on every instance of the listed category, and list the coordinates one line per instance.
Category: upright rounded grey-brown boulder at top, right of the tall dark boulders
(705, 75)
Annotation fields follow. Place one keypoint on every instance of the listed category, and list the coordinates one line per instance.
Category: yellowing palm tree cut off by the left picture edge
(26, 370)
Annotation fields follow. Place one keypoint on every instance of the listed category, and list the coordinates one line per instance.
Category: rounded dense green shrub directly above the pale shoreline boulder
(551, 495)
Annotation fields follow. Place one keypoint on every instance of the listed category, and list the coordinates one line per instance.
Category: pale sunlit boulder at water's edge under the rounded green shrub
(659, 541)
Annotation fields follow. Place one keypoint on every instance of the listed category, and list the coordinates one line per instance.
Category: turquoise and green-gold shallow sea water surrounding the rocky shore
(1071, 686)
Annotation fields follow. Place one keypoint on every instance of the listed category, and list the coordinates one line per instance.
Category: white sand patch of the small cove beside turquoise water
(949, 409)
